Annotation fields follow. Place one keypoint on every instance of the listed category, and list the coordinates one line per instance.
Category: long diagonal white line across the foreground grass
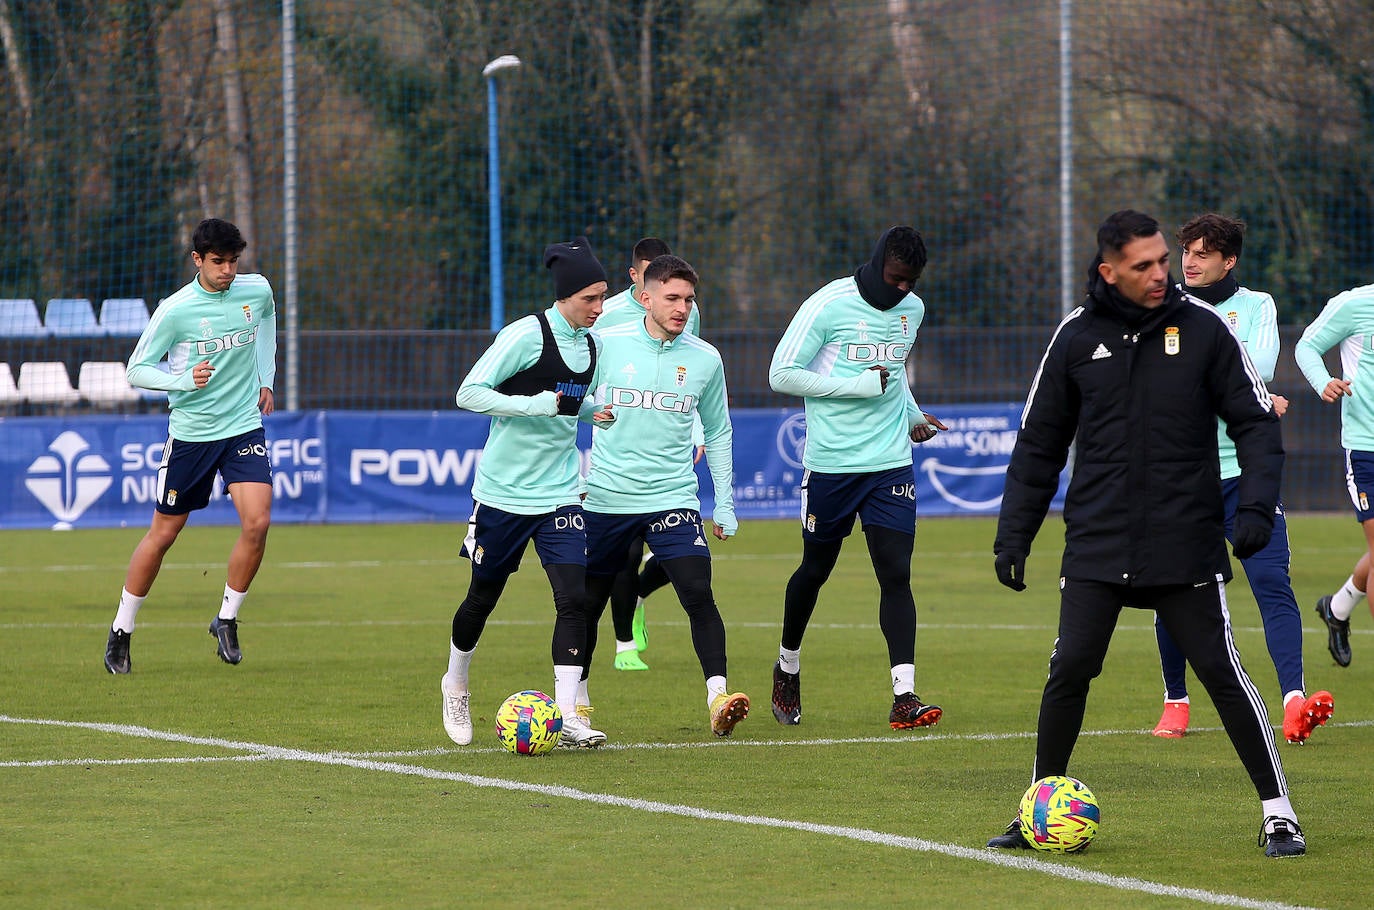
(983, 856)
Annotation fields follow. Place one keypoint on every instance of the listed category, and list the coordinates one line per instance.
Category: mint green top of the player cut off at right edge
(1347, 321)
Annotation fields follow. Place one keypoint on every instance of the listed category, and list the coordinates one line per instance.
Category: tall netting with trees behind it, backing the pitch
(766, 142)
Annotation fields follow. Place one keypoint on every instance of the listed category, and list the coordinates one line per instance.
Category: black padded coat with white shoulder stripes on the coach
(1141, 391)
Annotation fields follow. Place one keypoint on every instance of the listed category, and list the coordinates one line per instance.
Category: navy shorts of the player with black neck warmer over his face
(881, 500)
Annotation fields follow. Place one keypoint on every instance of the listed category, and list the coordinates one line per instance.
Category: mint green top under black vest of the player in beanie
(530, 465)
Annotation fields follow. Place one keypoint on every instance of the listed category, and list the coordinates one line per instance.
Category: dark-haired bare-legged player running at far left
(219, 336)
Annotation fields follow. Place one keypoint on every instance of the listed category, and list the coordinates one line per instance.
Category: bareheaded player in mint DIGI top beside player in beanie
(642, 480)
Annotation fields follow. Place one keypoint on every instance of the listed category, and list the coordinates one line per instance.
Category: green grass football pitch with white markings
(318, 775)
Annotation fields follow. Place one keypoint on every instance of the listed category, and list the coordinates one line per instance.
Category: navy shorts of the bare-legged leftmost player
(186, 476)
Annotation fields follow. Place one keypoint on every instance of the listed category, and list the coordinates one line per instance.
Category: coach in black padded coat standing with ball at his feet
(1138, 377)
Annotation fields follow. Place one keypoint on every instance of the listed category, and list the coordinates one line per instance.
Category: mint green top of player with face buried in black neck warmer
(826, 357)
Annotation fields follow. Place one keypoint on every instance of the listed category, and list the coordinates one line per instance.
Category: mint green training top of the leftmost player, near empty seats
(236, 331)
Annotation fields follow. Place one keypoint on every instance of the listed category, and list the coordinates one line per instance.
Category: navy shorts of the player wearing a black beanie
(497, 540)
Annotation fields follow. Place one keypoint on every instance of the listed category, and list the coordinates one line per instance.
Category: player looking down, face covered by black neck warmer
(846, 354)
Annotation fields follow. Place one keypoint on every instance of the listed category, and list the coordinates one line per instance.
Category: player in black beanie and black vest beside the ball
(532, 381)
